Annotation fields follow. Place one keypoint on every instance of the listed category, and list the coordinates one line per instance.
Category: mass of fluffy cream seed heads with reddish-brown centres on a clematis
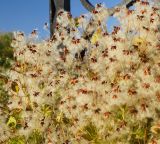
(104, 88)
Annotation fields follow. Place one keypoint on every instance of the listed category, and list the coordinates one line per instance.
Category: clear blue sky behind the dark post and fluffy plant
(26, 15)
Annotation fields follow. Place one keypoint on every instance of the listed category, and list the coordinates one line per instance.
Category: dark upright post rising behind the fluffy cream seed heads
(54, 7)
